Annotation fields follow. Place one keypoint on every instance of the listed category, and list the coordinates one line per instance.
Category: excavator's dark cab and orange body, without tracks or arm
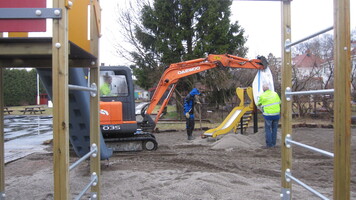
(117, 107)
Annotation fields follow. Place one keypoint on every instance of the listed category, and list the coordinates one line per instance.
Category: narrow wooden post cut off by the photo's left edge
(2, 149)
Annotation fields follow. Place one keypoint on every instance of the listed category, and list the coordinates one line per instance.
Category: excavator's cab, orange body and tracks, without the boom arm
(117, 112)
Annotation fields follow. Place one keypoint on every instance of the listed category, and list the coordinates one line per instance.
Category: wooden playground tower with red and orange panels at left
(71, 45)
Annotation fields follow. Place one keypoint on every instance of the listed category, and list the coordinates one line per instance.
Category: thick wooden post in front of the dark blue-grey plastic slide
(60, 104)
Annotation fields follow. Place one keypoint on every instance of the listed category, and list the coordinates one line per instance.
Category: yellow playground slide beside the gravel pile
(235, 115)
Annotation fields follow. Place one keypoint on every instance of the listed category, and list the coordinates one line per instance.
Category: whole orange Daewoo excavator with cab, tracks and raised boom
(118, 122)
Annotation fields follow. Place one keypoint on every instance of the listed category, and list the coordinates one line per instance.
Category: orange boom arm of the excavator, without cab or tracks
(179, 70)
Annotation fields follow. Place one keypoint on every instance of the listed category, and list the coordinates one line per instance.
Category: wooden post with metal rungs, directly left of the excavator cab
(94, 101)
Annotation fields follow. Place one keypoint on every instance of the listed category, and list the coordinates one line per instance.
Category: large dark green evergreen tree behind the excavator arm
(178, 30)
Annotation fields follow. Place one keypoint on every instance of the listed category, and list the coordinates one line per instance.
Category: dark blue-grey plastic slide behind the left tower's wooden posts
(79, 112)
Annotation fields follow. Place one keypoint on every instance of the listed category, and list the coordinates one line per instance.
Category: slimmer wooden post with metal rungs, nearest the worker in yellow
(286, 106)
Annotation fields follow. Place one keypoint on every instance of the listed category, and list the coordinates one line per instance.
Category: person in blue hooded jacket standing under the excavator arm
(189, 102)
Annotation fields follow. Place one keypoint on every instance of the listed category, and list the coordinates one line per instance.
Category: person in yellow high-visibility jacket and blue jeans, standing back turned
(270, 103)
